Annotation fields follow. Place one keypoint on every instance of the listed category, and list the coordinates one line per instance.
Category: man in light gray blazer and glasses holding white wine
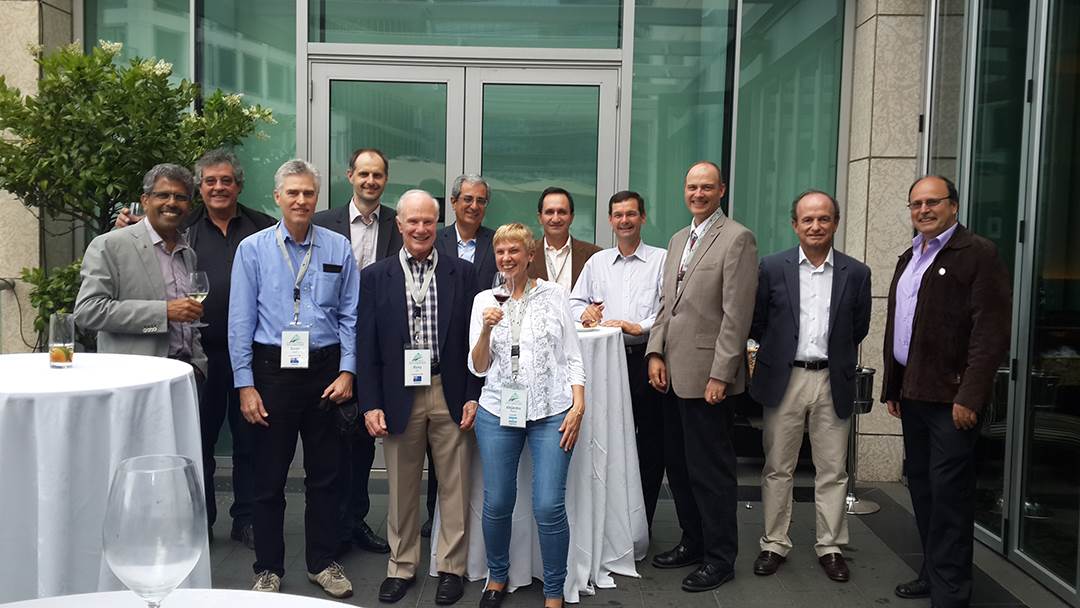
(136, 280)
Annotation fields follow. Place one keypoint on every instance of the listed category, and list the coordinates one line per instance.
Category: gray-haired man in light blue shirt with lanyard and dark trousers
(293, 345)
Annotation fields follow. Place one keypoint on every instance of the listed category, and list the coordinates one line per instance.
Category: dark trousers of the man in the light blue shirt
(291, 398)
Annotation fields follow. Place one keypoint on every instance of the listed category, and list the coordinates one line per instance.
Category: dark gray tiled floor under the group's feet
(881, 555)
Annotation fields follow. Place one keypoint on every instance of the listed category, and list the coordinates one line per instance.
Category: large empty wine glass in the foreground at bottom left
(155, 524)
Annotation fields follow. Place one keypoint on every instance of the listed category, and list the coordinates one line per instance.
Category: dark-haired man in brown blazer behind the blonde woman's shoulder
(562, 258)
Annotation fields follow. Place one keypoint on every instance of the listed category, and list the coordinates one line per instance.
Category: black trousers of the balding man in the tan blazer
(701, 474)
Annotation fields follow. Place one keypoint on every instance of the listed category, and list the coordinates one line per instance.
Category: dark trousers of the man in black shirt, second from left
(219, 402)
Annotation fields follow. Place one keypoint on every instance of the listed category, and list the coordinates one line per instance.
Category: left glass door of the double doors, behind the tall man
(413, 114)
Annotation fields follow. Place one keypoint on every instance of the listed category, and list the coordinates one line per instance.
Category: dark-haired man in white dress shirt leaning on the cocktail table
(620, 288)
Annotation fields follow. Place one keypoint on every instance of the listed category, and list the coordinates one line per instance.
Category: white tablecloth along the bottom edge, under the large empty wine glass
(182, 598)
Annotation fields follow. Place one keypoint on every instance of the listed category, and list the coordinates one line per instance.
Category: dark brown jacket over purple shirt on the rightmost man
(962, 329)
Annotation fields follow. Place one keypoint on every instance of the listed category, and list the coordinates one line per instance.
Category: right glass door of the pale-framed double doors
(531, 129)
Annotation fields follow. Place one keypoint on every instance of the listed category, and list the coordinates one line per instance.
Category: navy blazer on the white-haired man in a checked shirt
(384, 327)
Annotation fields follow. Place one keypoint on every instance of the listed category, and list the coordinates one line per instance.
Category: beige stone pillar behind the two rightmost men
(887, 100)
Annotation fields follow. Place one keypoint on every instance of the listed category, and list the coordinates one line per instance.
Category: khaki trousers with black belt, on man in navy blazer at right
(808, 397)
